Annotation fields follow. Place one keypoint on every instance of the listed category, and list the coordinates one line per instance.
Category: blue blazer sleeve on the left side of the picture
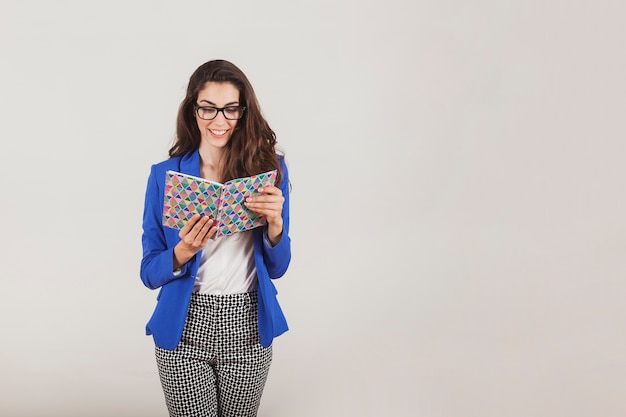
(157, 265)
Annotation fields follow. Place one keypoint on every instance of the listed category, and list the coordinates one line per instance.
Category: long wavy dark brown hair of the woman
(252, 146)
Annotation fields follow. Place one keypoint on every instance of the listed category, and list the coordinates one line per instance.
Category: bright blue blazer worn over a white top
(157, 266)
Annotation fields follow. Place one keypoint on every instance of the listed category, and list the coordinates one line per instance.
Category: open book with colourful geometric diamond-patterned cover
(186, 195)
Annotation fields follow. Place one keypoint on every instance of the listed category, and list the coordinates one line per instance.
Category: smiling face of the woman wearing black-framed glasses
(218, 131)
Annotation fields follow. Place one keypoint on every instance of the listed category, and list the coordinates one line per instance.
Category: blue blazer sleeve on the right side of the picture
(277, 258)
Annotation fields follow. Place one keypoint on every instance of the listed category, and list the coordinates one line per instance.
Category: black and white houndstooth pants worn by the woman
(219, 368)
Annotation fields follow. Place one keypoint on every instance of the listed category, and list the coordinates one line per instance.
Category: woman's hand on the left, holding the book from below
(193, 237)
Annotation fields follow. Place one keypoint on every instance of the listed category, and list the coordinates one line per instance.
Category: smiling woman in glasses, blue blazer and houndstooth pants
(217, 312)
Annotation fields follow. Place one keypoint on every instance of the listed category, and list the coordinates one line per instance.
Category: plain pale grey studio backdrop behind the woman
(458, 202)
